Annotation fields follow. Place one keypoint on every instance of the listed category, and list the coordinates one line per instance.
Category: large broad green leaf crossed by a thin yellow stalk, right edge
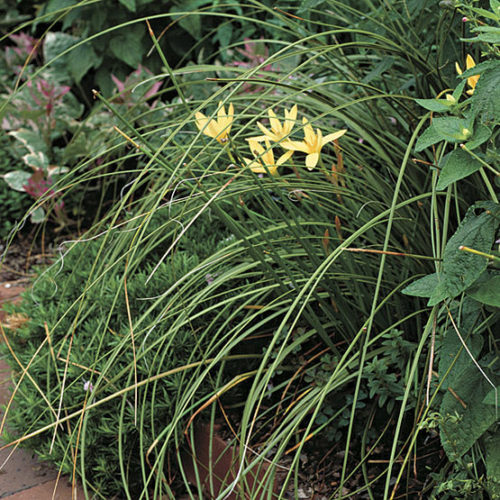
(461, 269)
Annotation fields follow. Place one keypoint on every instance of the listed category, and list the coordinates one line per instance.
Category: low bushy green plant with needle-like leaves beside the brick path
(74, 354)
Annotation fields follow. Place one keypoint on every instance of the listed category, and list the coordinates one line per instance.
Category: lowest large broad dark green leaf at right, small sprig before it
(467, 418)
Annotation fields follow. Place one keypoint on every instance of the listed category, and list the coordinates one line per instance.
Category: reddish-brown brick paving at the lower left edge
(22, 477)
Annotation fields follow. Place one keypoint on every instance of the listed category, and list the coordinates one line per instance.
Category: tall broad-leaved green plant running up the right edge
(466, 279)
